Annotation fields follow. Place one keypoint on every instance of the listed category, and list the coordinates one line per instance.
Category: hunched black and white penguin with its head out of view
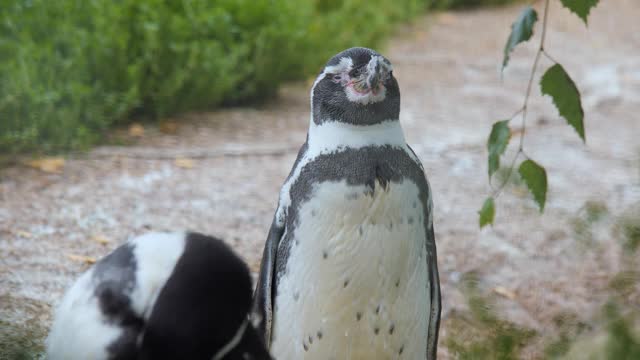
(159, 296)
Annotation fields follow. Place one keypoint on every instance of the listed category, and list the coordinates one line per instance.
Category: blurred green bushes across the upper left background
(70, 69)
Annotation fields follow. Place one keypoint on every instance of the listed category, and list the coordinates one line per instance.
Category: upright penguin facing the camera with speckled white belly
(349, 269)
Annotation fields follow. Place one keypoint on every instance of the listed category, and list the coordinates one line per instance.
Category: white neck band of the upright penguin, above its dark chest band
(331, 136)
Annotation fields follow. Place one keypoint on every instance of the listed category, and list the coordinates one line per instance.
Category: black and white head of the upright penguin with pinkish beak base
(356, 86)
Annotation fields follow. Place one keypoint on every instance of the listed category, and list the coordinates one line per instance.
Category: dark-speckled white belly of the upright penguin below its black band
(357, 283)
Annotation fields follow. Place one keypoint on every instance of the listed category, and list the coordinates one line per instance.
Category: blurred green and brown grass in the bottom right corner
(481, 333)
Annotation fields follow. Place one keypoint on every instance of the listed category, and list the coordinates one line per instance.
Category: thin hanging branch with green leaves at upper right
(556, 83)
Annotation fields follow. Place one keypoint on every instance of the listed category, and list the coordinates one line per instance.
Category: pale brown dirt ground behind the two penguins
(221, 171)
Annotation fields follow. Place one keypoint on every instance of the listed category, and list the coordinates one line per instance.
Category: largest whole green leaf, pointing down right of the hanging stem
(557, 84)
